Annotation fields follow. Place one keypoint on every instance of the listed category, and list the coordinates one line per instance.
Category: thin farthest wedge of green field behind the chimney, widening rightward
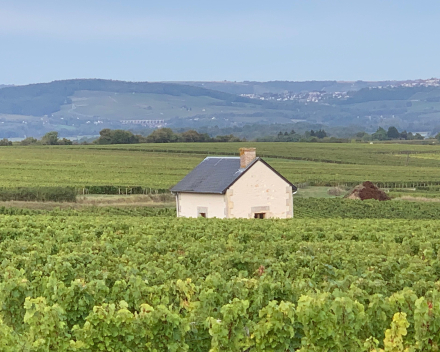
(346, 153)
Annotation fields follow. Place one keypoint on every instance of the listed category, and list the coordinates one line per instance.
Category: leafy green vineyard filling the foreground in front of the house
(136, 283)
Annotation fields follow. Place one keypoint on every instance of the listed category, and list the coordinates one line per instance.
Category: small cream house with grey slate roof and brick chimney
(234, 187)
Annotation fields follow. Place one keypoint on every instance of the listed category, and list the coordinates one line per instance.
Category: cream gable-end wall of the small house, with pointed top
(260, 188)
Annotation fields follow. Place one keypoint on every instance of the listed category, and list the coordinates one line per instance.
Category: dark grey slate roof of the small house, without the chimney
(215, 175)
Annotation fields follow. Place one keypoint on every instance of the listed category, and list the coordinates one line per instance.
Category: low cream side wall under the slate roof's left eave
(190, 202)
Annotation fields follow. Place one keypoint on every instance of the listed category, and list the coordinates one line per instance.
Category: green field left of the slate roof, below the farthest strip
(23, 166)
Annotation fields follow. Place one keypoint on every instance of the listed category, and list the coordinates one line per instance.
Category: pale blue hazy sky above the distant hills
(143, 40)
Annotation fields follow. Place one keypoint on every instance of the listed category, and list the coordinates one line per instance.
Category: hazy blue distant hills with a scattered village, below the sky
(85, 106)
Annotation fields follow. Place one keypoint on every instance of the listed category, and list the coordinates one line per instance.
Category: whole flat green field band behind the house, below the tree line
(140, 165)
